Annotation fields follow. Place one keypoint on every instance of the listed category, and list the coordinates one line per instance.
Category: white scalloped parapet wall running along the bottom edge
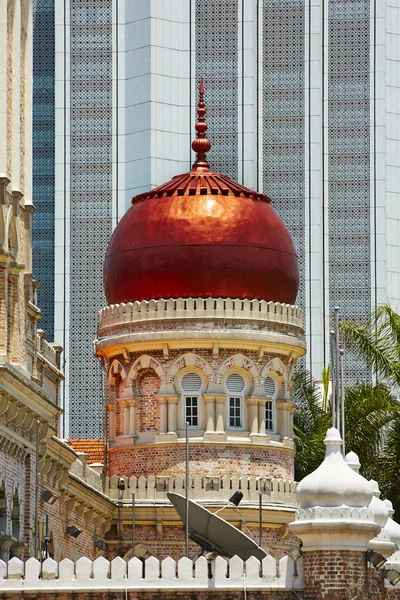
(152, 574)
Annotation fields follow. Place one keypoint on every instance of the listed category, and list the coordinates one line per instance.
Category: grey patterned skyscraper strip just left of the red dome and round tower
(90, 176)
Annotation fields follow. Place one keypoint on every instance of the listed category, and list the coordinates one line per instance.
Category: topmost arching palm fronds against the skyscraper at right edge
(377, 343)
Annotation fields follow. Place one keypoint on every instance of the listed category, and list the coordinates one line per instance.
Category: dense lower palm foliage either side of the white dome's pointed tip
(372, 430)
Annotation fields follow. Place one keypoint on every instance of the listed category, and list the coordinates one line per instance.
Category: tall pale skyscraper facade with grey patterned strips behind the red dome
(298, 107)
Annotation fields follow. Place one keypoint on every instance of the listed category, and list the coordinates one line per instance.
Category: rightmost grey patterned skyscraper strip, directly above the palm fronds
(349, 166)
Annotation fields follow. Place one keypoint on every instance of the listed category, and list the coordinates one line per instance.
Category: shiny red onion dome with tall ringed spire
(201, 235)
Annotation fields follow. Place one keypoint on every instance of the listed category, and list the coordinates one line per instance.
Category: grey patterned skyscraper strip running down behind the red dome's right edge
(283, 116)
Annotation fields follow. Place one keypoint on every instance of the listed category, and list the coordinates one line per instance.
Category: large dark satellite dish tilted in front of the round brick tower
(213, 533)
